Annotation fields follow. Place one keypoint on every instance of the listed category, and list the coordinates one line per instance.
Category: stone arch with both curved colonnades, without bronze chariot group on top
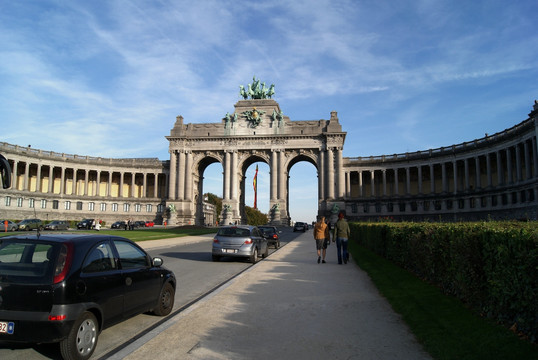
(495, 177)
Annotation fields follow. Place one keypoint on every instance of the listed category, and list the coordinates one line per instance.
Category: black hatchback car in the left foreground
(67, 288)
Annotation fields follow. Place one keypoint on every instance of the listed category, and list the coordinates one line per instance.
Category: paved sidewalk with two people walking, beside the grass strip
(286, 307)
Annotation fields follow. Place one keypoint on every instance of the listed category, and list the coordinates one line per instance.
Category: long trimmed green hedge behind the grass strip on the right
(491, 266)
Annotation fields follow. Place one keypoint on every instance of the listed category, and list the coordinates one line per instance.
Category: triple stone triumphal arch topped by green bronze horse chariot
(257, 131)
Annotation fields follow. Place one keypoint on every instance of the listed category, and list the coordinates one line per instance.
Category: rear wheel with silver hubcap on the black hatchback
(82, 338)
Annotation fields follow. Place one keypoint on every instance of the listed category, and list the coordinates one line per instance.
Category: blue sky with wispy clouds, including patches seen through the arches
(107, 78)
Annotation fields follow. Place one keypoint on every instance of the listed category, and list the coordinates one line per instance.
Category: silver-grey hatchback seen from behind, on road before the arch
(240, 241)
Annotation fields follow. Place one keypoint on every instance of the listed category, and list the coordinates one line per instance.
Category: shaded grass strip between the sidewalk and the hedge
(442, 324)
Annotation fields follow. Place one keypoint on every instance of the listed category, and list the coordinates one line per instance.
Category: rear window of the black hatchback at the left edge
(27, 262)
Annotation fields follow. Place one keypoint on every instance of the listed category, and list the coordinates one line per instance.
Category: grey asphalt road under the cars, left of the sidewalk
(196, 274)
